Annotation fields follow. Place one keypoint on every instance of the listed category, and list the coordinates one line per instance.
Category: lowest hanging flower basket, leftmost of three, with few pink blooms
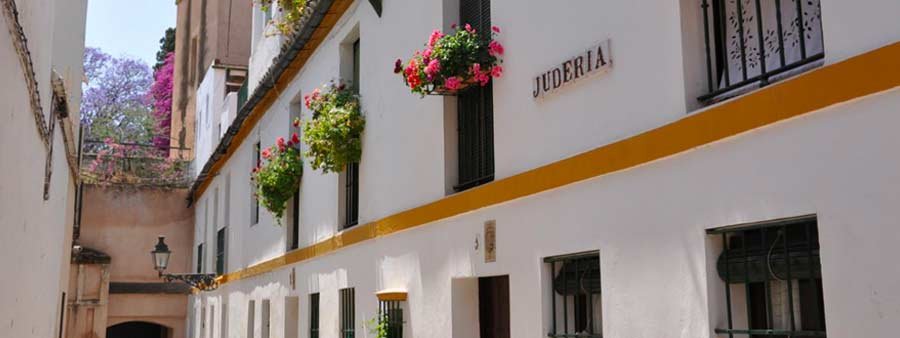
(277, 179)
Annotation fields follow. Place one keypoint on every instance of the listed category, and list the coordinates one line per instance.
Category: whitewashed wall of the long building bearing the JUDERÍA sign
(647, 222)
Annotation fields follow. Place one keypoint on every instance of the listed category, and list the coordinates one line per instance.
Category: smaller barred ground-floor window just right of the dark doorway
(575, 295)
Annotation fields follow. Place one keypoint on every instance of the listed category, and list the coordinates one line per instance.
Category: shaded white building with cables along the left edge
(41, 51)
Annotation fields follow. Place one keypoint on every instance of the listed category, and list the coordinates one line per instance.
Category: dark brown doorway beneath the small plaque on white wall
(493, 306)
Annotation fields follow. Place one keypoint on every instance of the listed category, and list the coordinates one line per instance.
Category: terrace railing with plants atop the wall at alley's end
(109, 163)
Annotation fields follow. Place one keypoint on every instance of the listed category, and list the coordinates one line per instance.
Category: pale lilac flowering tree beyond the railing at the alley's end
(115, 103)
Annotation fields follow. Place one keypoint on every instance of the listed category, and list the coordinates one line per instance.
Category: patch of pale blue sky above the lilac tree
(129, 27)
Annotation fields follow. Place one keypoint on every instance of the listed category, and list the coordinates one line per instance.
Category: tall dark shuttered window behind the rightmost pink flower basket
(475, 112)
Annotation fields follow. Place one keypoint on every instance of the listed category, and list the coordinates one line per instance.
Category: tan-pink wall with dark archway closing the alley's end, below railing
(115, 292)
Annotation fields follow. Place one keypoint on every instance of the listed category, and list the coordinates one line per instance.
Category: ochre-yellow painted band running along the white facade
(862, 75)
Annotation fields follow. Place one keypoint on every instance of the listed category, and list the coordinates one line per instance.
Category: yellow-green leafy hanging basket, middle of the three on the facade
(334, 132)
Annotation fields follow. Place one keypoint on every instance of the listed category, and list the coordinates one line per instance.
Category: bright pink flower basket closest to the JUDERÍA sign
(453, 62)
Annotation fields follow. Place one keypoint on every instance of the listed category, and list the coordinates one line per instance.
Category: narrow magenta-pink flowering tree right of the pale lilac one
(161, 95)
